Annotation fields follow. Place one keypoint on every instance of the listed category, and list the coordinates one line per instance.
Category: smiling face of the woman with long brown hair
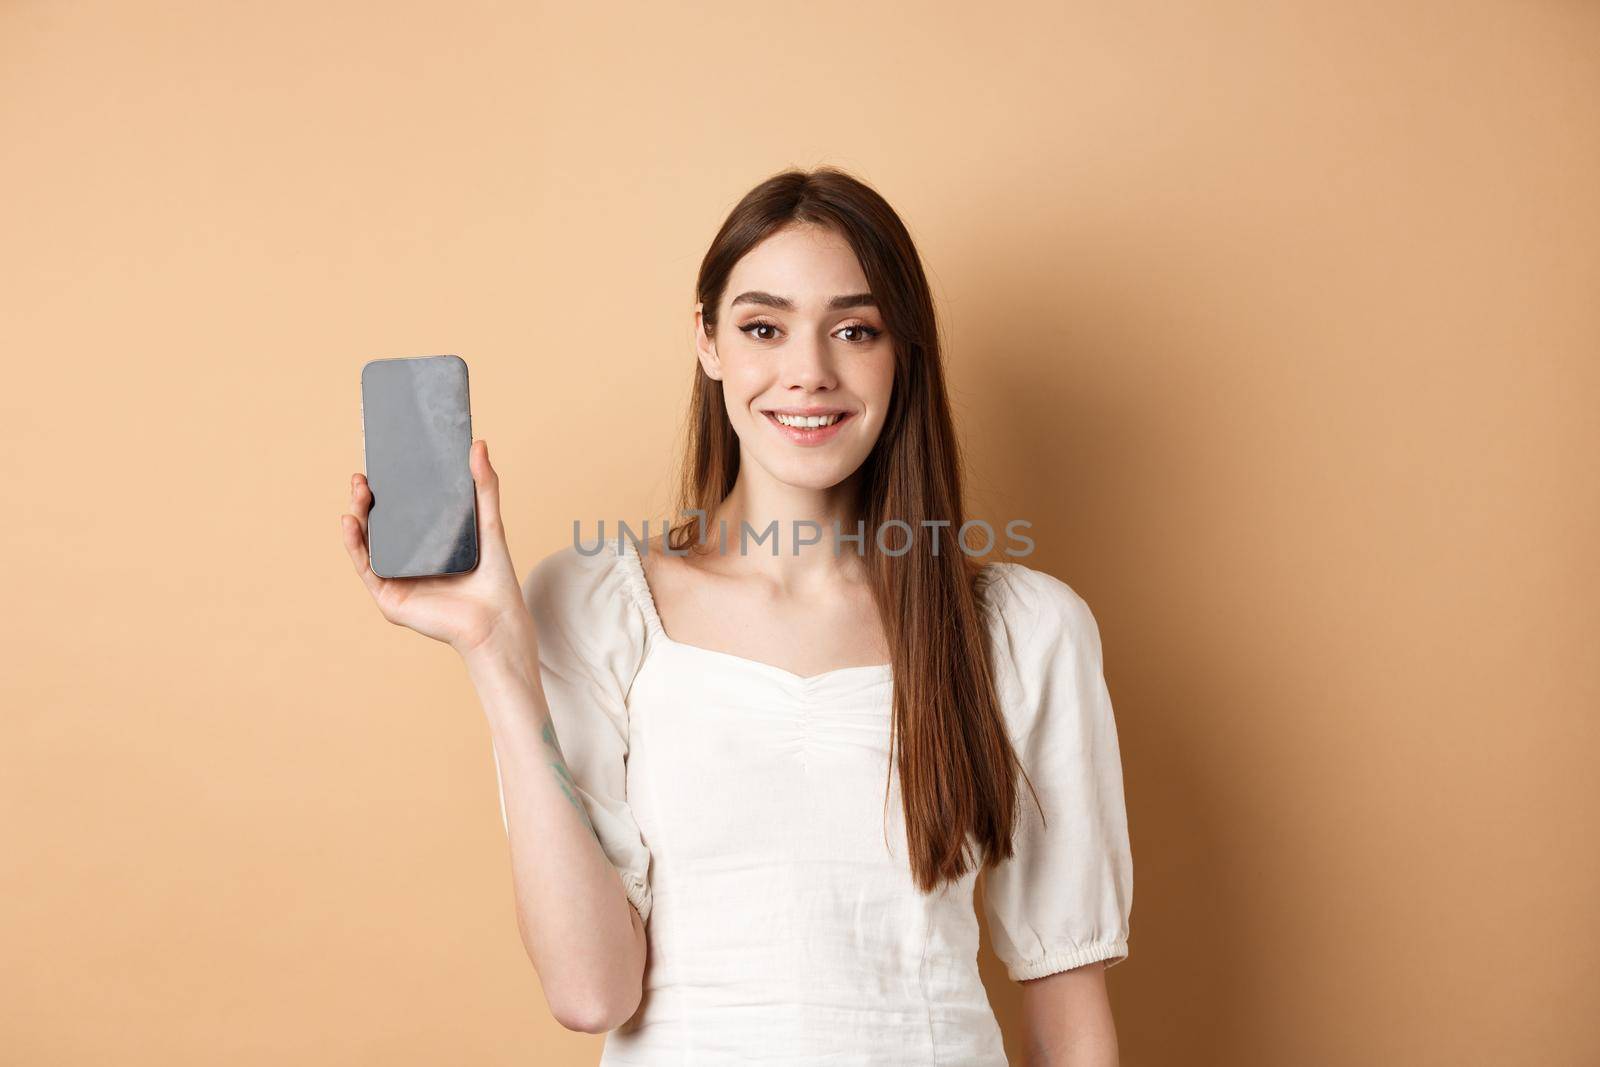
(799, 335)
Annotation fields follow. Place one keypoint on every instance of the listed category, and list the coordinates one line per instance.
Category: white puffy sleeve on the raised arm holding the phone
(591, 645)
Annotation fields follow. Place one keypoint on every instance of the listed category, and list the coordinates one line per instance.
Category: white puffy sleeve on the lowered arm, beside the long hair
(1065, 898)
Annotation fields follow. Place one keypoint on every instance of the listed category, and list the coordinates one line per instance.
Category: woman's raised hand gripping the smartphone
(478, 612)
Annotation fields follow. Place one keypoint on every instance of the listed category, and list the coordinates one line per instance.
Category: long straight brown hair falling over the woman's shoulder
(956, 762)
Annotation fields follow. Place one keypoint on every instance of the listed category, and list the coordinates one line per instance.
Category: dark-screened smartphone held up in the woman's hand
(417, 430)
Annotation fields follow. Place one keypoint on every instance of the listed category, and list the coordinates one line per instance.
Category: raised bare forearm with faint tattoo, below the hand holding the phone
(577, 924)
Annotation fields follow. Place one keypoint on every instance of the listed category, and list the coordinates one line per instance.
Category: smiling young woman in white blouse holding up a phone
(750, 785)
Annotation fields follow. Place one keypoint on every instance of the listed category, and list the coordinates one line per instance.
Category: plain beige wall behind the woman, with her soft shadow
(1278, 321)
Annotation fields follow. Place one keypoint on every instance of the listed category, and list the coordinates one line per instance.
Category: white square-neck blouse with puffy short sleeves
(745, 810)
